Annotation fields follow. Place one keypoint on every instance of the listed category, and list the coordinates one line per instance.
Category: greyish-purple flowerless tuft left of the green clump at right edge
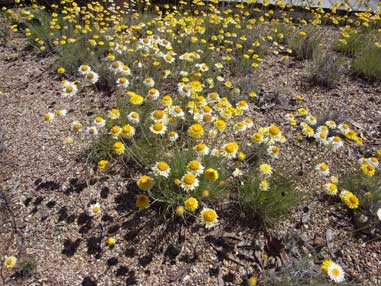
(325, 70)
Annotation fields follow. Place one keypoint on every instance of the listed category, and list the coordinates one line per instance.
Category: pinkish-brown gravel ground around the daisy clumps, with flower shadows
(55, 188)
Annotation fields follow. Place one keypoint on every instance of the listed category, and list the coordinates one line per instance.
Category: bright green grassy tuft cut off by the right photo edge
(367, 63)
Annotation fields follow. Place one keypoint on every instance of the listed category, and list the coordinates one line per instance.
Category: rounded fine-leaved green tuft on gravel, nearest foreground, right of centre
(265, 207)
